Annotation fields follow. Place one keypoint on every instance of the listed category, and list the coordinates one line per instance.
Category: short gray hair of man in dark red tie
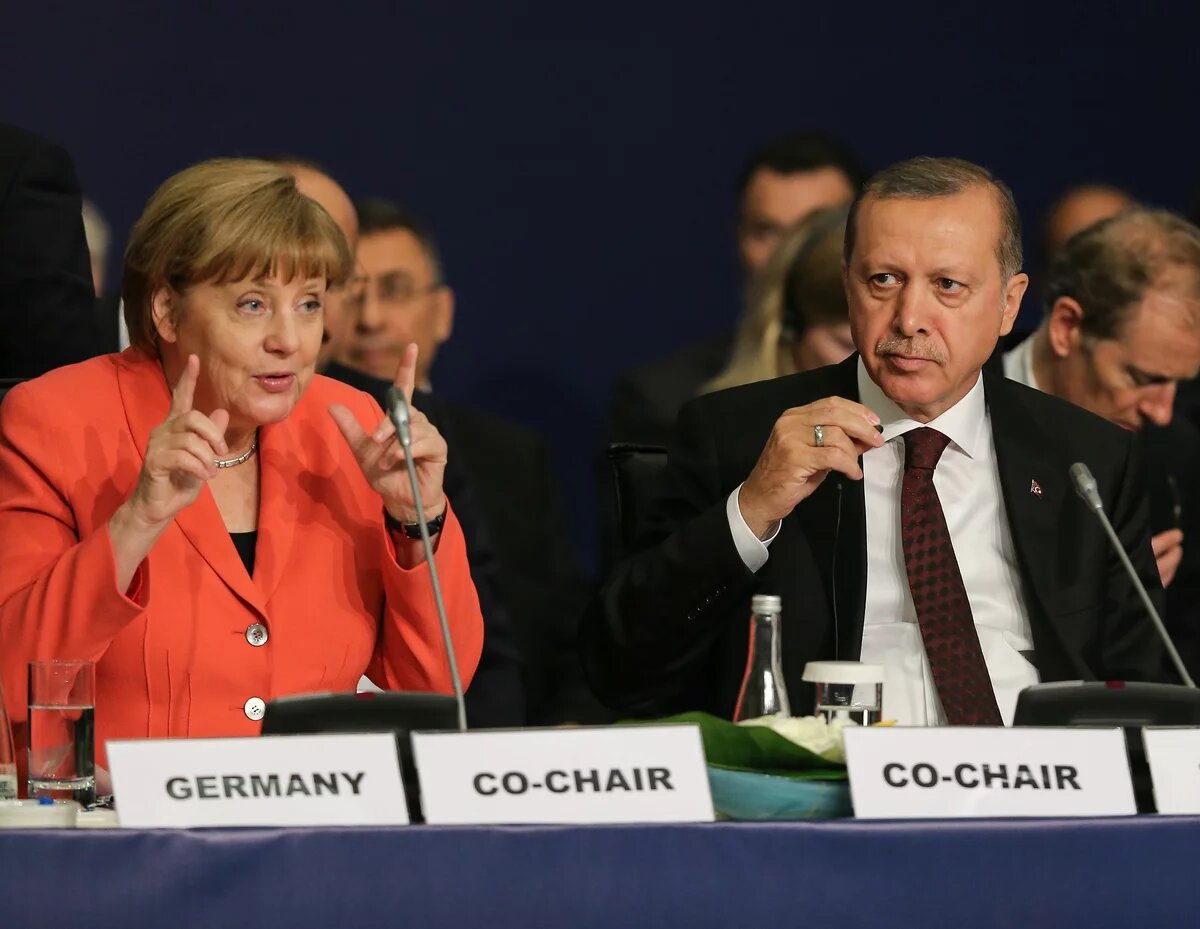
(925, 179)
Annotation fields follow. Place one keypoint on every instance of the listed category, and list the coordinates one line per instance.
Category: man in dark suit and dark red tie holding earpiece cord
(909, 511)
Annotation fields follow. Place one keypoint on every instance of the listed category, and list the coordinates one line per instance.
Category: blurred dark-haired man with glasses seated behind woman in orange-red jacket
(505, 469)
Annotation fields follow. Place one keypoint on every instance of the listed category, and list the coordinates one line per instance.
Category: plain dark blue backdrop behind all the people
(577, 159)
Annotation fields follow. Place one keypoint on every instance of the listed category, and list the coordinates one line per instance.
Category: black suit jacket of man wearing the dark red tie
(670, 630)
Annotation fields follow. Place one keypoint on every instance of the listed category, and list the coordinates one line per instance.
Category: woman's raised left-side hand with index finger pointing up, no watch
(179, 457)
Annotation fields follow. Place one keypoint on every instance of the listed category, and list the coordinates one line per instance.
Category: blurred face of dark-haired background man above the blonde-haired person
(773, 202)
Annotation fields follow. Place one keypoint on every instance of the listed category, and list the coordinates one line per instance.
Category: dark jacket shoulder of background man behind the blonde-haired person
(647, 400)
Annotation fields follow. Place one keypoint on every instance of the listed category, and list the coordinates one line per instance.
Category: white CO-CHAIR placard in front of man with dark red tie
(957, 772)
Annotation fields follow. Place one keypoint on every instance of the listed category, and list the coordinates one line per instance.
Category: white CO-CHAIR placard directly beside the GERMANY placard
(566, 776)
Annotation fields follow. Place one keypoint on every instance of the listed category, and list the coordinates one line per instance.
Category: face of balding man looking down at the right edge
(1132, 377)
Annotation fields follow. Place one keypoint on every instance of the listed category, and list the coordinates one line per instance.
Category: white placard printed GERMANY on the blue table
(272, 781)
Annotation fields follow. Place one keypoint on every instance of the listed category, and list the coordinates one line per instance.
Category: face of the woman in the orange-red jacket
(257, 341)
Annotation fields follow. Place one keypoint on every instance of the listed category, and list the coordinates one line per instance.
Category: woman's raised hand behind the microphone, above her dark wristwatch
(382, 458)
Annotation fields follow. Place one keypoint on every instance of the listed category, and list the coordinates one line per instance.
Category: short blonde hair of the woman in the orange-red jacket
(226, 220)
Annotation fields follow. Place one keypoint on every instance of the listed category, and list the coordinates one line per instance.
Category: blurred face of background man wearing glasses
(403, 303)
